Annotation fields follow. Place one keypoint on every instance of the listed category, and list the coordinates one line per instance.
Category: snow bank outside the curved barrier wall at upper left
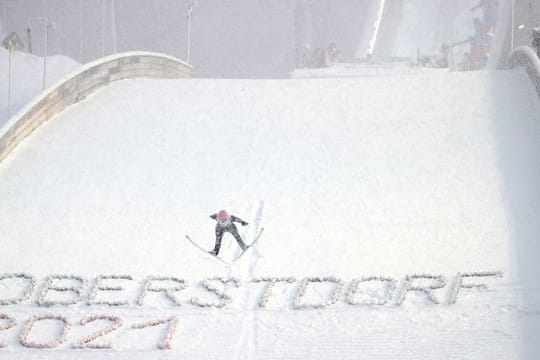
(27, 78)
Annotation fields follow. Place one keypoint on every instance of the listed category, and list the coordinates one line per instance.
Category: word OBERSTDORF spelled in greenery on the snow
(218, 292)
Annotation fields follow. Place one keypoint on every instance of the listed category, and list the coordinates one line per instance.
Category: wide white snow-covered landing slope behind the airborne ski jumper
(428, 174)
